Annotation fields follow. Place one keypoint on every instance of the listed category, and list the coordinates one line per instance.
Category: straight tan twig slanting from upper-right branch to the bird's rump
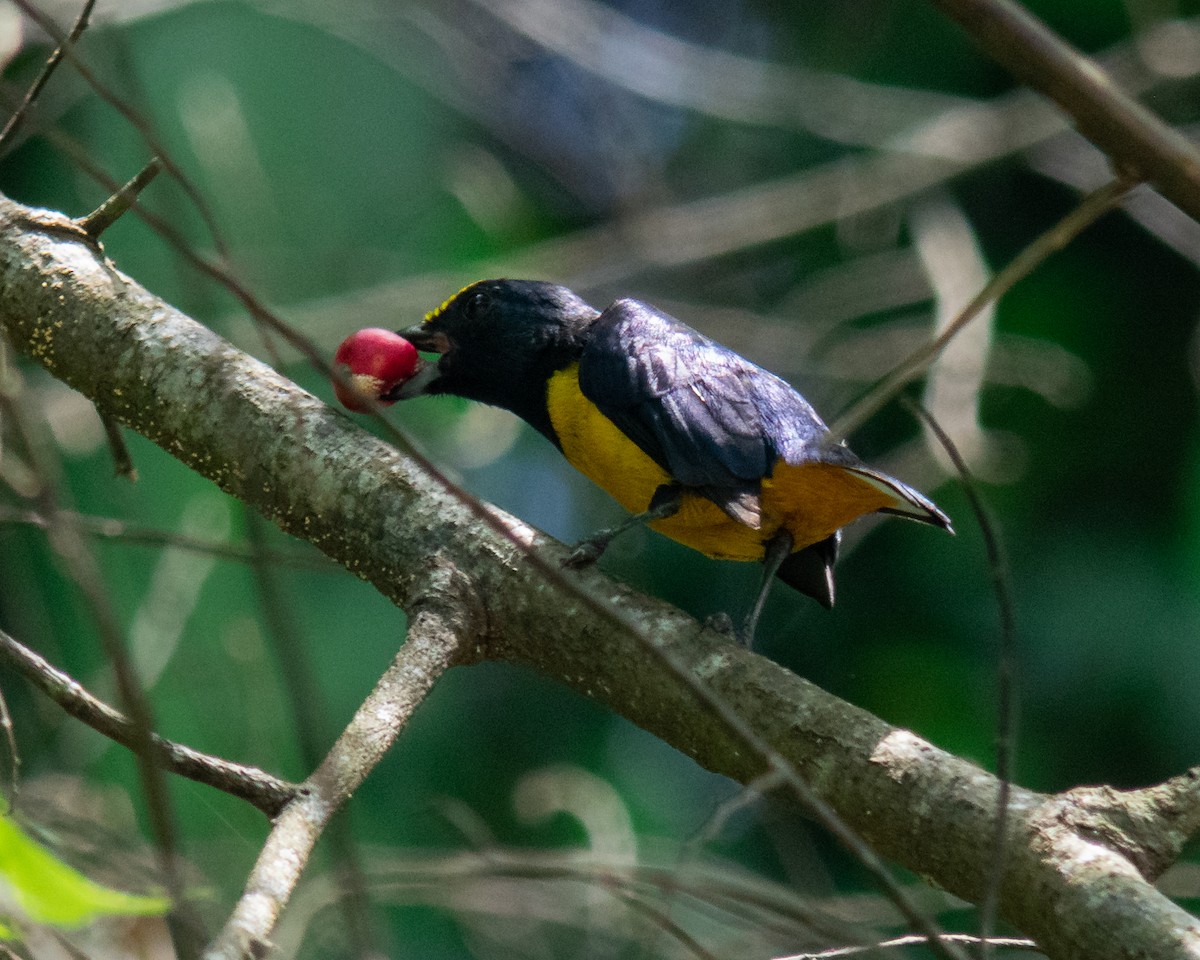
(1087, 213)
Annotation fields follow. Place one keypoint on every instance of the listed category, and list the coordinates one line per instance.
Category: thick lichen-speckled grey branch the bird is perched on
(1078, 871)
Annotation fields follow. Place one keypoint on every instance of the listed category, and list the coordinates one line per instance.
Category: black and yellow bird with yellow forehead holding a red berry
(688, 436)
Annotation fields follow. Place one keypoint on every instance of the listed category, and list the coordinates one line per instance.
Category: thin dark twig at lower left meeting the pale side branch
(267, 793)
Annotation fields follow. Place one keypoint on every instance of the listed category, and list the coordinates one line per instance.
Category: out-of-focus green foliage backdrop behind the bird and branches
(362, 161)
